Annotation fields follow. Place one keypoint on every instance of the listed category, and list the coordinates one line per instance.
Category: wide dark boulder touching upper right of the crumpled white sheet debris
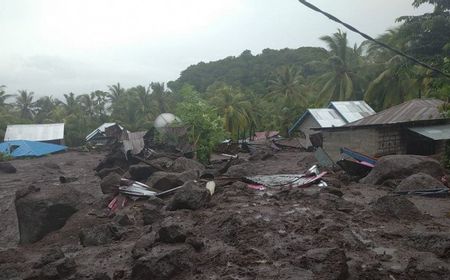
(168, 180)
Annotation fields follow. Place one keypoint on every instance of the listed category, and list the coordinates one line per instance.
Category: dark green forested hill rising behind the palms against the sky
(251, 71)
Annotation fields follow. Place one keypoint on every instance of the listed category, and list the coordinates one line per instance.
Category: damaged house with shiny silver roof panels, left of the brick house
(337, 114)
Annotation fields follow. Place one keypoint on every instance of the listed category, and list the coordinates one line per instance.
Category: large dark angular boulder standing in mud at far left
(41, 211)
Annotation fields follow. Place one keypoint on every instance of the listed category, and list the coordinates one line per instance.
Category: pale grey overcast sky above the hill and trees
(54, 47)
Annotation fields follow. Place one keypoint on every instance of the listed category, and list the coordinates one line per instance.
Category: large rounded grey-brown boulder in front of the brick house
(397, 167)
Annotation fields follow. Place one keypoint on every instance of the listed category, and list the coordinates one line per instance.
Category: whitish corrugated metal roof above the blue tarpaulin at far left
(35, 132)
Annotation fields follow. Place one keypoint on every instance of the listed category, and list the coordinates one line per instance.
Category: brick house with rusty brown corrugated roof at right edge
(414, 127)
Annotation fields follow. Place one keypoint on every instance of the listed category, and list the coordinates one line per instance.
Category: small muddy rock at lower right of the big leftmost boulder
(99, 235)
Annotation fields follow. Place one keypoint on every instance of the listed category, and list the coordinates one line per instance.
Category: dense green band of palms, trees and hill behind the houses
(258, 92)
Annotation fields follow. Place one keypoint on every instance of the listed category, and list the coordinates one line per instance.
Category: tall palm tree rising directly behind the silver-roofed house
(341, 82)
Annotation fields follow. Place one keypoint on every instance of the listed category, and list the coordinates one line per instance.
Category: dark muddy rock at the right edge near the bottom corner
(435, 242)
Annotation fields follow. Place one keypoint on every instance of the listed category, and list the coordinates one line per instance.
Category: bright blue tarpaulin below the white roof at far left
(24, 148)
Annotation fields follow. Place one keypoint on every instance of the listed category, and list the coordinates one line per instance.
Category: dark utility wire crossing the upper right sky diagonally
(333, 18)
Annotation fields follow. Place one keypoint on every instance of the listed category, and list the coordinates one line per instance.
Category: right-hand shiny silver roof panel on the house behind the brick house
(352, 110)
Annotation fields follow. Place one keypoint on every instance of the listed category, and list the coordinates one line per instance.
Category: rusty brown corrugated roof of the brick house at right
(413, 110)
